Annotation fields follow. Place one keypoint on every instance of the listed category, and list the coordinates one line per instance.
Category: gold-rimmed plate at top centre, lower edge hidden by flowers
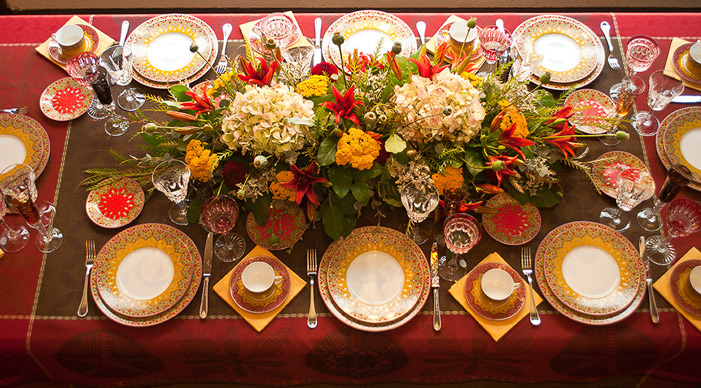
(363, 31)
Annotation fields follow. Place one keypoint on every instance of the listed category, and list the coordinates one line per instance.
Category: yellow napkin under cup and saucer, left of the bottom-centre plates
(258, 321)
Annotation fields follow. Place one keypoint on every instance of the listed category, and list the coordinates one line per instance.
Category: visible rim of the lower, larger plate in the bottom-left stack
(175, 309)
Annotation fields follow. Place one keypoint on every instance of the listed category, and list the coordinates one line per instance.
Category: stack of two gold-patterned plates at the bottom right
(590, 273)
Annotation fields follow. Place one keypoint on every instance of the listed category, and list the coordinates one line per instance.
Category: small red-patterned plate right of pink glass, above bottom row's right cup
(513, 223)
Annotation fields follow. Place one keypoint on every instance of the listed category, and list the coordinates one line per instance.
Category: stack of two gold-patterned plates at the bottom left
(146, 275)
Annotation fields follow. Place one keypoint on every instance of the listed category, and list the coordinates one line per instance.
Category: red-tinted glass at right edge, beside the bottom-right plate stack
(683, 218)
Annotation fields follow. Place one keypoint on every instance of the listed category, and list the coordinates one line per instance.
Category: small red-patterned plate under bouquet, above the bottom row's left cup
(285, 226)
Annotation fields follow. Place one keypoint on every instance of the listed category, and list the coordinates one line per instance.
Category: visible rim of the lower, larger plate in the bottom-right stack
(549, 295)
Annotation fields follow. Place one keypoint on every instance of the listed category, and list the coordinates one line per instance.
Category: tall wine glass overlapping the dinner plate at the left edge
(18, 186)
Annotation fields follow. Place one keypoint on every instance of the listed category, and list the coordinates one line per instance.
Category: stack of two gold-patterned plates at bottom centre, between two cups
(376, 279)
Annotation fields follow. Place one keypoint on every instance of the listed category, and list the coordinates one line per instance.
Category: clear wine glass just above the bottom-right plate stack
(633, 187)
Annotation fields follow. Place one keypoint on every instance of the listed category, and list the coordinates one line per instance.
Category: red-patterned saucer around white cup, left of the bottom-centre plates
(247, 303)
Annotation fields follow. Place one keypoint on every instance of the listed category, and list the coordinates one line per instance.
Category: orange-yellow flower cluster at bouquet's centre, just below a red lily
(358, 149)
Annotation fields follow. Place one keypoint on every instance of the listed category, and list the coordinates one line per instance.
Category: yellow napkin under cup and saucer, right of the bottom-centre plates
(496, 329)
